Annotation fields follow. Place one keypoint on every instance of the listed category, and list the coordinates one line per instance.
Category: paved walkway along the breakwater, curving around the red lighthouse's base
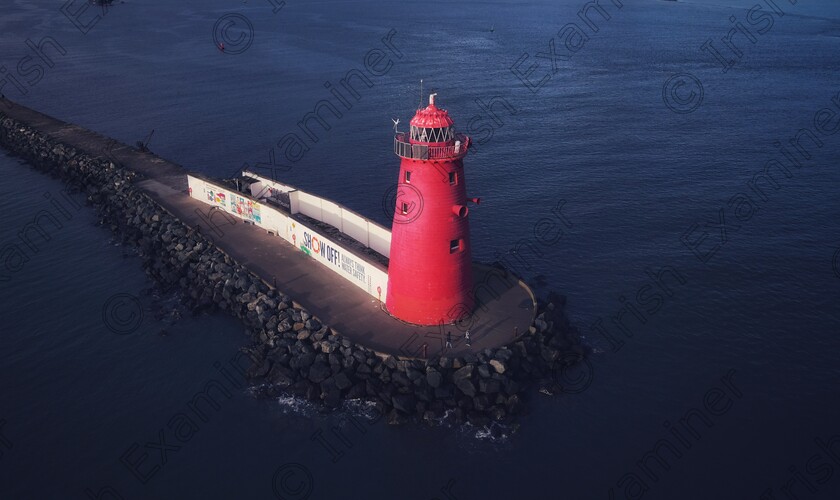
(336, 302)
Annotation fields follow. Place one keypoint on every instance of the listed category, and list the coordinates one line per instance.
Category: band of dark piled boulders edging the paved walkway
(291, 351)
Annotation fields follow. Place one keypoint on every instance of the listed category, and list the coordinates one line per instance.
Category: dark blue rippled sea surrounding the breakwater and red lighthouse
(632, 176)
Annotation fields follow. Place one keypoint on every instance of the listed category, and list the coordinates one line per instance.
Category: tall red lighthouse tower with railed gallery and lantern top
(430, 272)
